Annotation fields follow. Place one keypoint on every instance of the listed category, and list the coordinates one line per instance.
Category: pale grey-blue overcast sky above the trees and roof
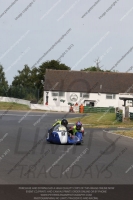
(35, 31)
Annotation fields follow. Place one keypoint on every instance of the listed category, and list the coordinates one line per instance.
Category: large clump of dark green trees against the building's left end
(33, 79)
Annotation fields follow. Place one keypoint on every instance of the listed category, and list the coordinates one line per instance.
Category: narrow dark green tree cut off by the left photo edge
(3, 83)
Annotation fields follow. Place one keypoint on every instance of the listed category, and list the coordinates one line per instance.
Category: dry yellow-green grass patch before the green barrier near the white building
(102, 120)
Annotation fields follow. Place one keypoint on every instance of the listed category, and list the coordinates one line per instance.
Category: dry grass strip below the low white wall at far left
(13, 106)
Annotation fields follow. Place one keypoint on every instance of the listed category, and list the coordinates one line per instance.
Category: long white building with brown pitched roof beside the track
(98, 89)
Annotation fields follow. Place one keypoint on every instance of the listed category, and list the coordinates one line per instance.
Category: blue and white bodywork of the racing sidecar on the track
(60, 136)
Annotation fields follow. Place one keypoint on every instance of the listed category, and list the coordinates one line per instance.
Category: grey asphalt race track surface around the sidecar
(20, 132)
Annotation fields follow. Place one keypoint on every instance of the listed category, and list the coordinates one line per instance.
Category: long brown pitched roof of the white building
(88, 81)
